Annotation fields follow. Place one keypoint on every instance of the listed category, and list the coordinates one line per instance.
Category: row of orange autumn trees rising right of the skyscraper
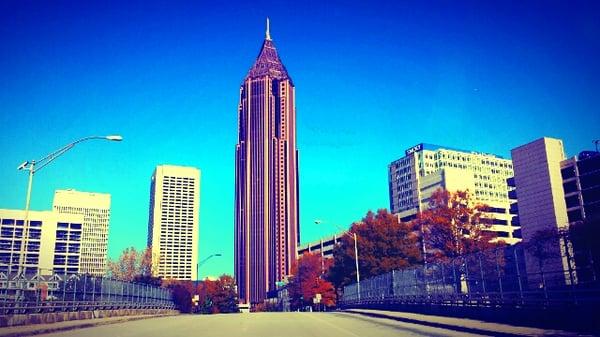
(453, 225)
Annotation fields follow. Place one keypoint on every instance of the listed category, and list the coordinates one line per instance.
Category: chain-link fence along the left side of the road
(39, 292)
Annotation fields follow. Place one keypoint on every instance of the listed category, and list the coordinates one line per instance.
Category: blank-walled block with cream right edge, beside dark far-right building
(542, 207)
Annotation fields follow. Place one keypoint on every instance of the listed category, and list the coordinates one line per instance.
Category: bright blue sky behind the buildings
(372, 79)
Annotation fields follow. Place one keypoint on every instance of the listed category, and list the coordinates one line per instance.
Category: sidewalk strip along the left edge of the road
(37, 329)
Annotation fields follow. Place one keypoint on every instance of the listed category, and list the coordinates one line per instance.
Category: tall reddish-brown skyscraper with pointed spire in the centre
(266, 195)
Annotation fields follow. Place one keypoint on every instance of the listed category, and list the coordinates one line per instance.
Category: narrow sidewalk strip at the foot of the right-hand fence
(462, 324)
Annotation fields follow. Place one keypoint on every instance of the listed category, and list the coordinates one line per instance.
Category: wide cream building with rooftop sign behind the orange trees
(426, 168)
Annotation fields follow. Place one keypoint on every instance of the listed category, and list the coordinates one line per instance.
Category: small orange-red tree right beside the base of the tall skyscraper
(307, 281)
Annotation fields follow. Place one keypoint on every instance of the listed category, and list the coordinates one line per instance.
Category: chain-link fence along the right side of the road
(548, 272)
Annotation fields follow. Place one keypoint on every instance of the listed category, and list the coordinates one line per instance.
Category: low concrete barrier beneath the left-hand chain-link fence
(53, 317)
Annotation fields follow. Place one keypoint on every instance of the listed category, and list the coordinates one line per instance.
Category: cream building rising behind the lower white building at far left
(95, 208)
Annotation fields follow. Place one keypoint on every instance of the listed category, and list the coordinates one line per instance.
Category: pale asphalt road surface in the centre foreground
(295, 324)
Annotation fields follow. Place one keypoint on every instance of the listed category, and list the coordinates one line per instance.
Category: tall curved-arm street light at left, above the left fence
(33, 167)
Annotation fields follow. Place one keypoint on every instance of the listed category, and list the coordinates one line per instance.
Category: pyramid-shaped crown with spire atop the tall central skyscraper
(268, 62)
